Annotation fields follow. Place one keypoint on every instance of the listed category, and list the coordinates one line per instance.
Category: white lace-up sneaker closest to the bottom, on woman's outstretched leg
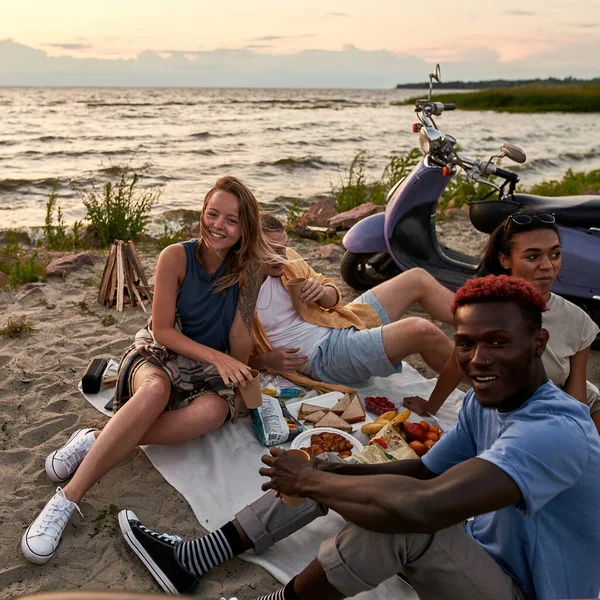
(40, 541)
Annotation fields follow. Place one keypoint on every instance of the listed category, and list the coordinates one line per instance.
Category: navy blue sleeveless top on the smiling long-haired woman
(206, 317)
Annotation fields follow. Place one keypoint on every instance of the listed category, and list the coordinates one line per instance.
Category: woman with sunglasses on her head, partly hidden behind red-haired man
(528, 246)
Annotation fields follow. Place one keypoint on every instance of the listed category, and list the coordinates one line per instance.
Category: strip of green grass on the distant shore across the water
(528, 99)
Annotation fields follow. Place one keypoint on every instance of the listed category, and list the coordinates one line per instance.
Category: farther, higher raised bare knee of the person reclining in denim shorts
(415, 285)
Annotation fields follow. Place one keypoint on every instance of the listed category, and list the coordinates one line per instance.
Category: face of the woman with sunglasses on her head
(535, 256)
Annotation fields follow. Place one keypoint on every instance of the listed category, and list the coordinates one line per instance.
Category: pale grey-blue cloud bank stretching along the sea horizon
(350, 67)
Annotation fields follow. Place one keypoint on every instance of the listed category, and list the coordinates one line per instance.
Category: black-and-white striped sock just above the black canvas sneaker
(205, 553)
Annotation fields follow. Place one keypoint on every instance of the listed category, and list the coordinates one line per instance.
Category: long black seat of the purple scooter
(575, 211)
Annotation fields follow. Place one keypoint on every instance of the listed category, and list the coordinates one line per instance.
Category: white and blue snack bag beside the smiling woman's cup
(272, 422)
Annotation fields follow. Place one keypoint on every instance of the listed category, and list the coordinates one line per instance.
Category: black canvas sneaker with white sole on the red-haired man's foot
(157, 552)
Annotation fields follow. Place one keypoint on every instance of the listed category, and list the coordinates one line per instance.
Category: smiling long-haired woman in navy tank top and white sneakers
(194, 350)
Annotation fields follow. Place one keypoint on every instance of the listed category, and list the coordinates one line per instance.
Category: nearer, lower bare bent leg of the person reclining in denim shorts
(414, 335)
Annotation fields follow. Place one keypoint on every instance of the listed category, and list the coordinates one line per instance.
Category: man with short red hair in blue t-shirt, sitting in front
(523, 459)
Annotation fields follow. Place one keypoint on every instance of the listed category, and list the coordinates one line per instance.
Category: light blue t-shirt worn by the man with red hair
(550, 542)
